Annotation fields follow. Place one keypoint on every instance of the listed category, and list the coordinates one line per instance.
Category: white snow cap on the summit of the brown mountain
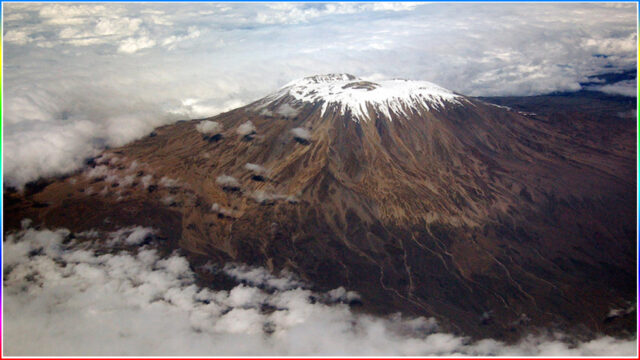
(351, 95)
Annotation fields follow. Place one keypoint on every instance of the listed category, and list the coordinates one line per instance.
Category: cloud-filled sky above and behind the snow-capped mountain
(80, 77)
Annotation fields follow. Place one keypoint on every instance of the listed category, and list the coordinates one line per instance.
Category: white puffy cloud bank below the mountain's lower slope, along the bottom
(83, 301)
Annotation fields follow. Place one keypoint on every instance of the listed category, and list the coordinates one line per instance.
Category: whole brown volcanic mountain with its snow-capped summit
(424, 201)
